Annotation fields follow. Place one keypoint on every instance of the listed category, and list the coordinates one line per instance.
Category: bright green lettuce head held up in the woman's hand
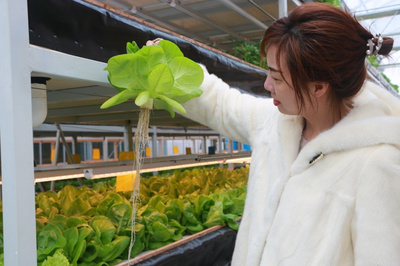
(156, 76)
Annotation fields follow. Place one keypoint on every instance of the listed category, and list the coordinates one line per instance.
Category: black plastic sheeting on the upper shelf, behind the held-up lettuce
(86, 30)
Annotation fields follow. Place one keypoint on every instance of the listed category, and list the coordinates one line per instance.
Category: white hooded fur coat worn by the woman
(337, 202)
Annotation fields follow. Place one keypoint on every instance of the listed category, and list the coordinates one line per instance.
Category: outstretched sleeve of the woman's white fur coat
(235, 115)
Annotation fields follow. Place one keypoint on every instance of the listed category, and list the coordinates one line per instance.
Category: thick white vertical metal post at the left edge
(19, 224)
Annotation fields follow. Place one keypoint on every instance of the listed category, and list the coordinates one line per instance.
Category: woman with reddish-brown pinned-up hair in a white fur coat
(324, 185)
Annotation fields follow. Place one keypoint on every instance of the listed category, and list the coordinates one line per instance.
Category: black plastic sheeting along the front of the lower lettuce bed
(213, 249)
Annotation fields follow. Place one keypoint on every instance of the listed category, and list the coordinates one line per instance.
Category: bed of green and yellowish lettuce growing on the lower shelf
(91, 226)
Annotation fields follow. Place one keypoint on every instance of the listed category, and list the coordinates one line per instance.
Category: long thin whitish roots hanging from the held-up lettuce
(141, 138)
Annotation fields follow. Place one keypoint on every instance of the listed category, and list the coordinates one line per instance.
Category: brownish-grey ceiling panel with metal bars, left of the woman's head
(218, 23)
